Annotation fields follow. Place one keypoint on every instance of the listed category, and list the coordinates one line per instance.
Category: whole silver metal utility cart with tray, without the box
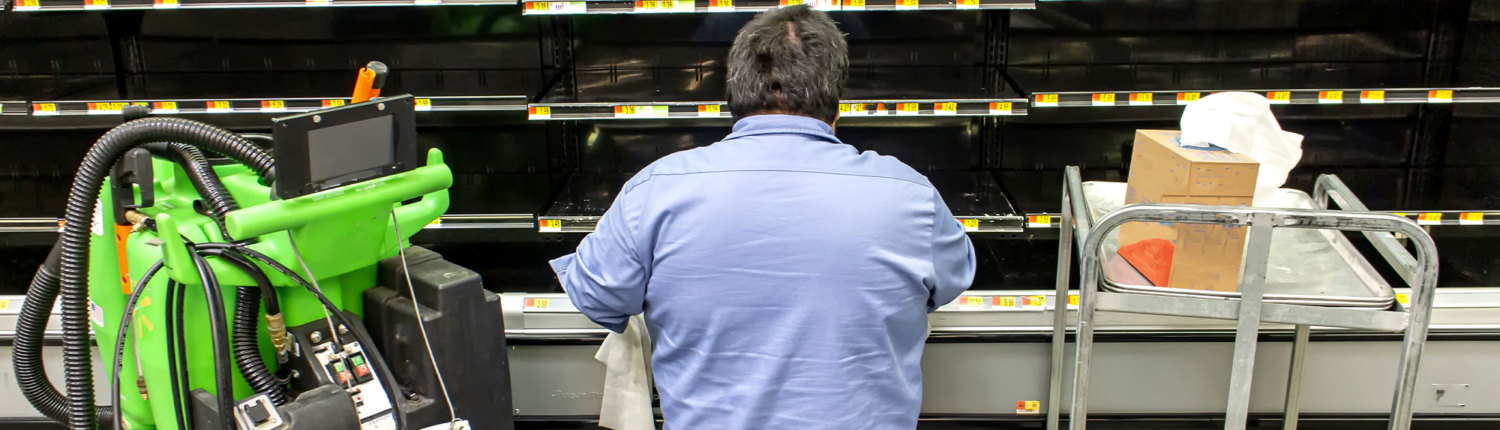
(1319, 281)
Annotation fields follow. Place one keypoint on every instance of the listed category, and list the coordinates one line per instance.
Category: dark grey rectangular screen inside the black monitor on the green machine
(352, 151)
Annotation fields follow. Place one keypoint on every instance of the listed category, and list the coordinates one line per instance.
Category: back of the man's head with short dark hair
(788, 61)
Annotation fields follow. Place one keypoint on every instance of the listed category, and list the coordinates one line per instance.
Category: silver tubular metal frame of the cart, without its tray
(1420, 272)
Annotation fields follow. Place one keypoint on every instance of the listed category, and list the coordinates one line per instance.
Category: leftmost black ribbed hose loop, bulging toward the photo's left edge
(31, 327)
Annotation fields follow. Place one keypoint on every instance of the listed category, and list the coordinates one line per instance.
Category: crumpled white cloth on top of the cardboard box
(1243, 124)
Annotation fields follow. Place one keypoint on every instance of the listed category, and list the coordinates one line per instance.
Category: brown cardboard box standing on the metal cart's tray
(1205, 257)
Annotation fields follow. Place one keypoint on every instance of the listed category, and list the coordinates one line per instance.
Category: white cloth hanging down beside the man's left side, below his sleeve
(628, 380)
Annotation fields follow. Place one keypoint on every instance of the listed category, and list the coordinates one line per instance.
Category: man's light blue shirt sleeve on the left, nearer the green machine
(607, 278)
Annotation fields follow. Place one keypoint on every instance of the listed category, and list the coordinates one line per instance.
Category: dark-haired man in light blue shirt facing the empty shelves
(785, 276)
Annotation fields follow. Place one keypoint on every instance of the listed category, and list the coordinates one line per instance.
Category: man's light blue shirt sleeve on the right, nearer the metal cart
(953, 257)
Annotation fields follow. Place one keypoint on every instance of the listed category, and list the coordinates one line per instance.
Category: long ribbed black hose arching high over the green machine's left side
(82, 199)
